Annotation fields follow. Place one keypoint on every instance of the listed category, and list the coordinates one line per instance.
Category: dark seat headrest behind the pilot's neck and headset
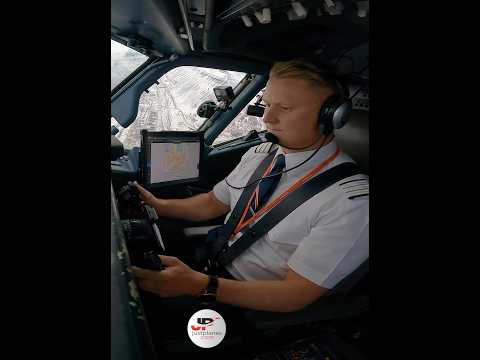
(353, 138)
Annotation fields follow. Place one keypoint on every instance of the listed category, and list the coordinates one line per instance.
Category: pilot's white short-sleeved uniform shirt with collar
(323, 240)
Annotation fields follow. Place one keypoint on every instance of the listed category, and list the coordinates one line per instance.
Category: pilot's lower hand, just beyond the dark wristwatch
(176, 279)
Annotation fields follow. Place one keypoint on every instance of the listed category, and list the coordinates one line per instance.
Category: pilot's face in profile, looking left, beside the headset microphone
(292, 109)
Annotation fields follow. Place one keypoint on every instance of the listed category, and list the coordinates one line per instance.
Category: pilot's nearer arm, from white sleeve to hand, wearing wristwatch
(333, 248)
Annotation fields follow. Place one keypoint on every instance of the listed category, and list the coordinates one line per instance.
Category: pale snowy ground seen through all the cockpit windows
(173, 103)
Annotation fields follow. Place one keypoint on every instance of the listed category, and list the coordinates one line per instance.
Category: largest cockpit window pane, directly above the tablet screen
(173, 103)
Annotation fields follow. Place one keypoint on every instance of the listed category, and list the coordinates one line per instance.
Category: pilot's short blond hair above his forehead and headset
(303, 69)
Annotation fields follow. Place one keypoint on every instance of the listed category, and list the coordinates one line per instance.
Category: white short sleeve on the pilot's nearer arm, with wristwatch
(336, 245)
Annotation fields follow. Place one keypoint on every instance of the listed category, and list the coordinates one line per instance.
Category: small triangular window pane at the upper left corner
(124, 61)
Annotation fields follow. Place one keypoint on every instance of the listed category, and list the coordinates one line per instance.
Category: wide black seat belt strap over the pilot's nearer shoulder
(285, 207)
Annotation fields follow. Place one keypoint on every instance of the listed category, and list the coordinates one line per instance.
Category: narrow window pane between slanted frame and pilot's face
(242, 124)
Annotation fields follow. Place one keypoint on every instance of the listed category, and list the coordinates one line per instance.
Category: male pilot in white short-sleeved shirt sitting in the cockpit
(310, 250)
